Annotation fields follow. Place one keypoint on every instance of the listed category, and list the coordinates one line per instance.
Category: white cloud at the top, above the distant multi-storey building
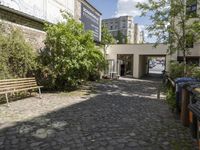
(128, 7)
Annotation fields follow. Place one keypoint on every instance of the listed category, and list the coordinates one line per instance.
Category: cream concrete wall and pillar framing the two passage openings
(140, 53)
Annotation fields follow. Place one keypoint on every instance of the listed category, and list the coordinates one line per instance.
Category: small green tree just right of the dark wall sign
(106, 38)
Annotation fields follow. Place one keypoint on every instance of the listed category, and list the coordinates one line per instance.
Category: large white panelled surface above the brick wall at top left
(48, 10)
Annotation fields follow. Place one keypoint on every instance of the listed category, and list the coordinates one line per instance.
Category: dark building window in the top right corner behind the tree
(191, 10)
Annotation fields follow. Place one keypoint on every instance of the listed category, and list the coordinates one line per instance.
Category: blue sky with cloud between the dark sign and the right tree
(115, 8)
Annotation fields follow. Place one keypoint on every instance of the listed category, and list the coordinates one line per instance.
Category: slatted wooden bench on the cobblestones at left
(11, 86)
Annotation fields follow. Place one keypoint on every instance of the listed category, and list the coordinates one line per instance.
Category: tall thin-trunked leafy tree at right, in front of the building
(172, 24)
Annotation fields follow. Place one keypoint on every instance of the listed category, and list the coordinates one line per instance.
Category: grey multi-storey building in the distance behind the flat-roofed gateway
(123, 29)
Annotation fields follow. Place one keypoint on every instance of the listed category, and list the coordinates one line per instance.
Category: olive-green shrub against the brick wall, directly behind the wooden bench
(17, 57)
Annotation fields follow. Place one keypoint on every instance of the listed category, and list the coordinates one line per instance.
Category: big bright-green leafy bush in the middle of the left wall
(70, 55)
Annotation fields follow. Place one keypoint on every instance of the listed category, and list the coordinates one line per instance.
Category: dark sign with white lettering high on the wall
(91, 21)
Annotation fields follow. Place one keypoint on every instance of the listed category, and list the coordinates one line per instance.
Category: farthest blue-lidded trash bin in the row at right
(180, 82)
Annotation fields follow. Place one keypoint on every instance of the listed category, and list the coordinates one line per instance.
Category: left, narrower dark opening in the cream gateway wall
(125, 64)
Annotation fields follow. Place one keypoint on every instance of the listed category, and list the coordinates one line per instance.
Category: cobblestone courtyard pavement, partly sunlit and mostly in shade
(117, 115)
